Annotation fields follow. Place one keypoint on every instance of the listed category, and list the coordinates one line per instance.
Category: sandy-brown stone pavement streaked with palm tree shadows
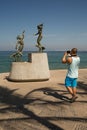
(43, 105)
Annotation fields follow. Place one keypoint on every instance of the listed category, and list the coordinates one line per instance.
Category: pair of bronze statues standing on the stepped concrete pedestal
(20, 44)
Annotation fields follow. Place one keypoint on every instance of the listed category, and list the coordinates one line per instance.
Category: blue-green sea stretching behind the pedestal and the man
(54, 60)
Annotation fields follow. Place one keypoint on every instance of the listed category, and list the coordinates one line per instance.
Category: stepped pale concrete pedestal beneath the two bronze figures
(36, 69)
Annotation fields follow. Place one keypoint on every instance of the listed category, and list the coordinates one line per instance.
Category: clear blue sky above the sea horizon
(64, 23)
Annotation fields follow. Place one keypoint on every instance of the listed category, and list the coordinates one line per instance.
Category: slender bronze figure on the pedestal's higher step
(39, 33)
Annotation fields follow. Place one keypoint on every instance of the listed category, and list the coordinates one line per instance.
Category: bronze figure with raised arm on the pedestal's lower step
(19, 47)
